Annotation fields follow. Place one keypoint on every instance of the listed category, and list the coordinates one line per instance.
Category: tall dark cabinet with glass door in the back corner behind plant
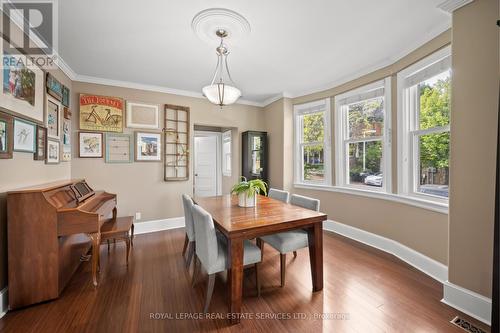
(254, 148)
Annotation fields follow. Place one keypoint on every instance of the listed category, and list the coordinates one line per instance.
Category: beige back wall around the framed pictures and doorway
(139, 185)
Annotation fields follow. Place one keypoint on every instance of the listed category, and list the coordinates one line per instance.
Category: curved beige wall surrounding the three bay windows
(422, 230)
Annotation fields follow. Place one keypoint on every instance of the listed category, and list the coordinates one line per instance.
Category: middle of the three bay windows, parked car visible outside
(363, 137)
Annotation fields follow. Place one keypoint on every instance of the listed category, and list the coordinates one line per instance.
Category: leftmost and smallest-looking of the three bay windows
(312, 142)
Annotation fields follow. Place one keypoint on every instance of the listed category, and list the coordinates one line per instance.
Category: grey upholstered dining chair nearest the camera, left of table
(211, 252)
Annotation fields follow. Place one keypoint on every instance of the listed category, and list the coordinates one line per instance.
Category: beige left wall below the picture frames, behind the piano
(21, 171)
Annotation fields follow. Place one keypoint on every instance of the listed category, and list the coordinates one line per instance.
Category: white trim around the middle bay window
(341, 158)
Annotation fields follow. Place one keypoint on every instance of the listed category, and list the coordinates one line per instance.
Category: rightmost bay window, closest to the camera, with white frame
(424, 114)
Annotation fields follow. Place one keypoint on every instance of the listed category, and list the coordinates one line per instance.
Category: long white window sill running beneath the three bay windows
(438, 207)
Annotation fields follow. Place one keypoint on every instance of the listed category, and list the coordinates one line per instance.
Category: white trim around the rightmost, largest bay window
(407, 175)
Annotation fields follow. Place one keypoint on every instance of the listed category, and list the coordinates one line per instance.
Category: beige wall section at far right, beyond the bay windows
(475, 45)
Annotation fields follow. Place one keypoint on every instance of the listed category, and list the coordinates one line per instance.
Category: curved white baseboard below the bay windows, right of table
(429, 266)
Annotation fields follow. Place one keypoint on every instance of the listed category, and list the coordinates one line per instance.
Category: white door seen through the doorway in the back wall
(206, 164)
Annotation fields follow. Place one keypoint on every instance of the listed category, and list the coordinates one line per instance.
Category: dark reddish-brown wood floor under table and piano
(365, 291)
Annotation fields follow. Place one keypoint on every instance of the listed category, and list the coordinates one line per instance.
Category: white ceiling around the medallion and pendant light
(295, 46)
